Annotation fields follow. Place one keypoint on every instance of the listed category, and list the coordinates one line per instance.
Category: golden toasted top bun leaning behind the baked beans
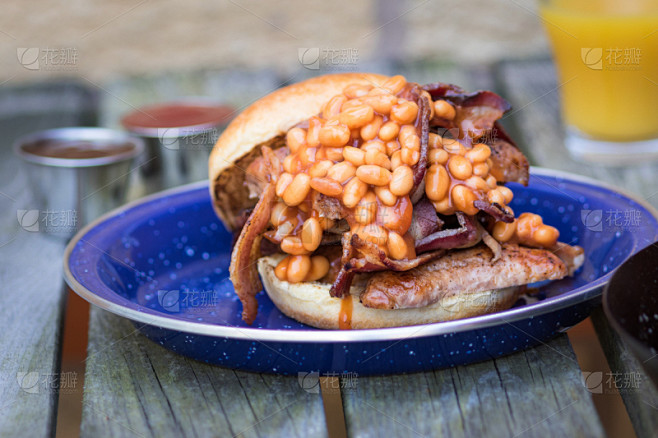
(271, 117)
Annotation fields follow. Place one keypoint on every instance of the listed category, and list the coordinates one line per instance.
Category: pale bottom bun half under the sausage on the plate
(311, 304)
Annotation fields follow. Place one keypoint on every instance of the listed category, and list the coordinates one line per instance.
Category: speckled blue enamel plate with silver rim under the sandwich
(162, 262)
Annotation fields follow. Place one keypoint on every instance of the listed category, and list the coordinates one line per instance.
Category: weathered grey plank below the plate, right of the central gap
(538, 392)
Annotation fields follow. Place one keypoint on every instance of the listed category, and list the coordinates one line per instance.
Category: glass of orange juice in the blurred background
(606, 53)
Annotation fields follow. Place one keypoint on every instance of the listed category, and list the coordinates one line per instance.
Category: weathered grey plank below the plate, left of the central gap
(135, 387)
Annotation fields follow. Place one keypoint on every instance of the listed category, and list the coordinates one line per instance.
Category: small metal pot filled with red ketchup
(179, 137)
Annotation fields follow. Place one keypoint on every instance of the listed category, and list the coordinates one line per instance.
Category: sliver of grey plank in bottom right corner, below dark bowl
(641, 400)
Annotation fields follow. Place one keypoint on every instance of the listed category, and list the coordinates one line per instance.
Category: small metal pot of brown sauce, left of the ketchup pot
(70, 191)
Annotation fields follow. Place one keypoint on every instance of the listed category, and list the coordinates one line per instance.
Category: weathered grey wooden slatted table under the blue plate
(134, 387)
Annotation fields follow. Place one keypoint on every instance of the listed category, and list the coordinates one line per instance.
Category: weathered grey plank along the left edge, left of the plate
(31, 289)
